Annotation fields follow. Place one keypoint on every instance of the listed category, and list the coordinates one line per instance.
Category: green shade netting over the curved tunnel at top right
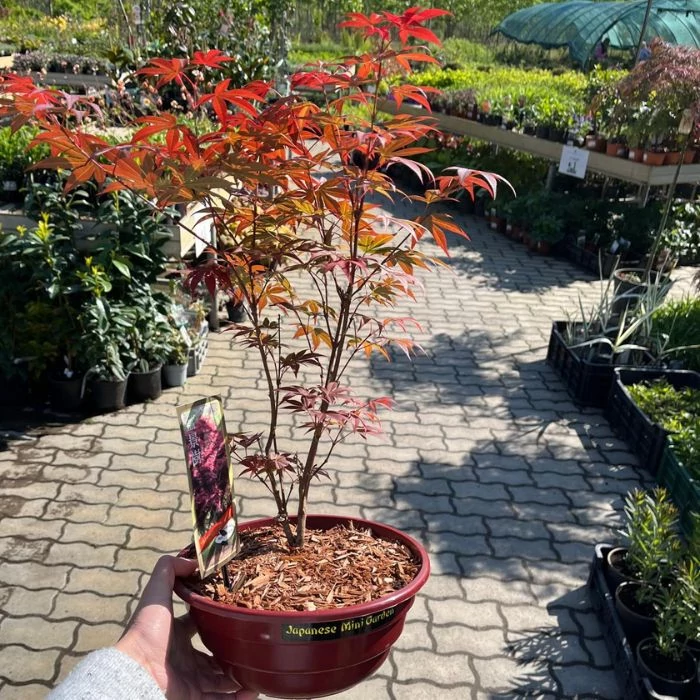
(581, 24)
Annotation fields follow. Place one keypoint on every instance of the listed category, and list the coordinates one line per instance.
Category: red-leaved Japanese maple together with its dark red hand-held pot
(283, 181)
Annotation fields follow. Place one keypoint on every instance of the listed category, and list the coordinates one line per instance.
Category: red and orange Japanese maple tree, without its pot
(293, 191)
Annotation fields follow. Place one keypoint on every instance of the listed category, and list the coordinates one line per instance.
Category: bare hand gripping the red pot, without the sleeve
(162, 645)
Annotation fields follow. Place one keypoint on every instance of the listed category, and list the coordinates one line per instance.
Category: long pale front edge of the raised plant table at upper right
(609, 166)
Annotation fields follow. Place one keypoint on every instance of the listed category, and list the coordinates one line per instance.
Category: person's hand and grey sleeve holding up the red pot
(154, 659)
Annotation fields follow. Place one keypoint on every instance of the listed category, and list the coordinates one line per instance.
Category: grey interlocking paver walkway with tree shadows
(485, 459)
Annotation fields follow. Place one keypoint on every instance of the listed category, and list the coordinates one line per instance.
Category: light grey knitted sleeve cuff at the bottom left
(107, 674)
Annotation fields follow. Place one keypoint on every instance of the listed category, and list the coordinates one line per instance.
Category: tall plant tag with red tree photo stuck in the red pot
(210, 475)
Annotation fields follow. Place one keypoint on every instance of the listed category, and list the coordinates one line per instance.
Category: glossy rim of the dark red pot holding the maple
(357, 610)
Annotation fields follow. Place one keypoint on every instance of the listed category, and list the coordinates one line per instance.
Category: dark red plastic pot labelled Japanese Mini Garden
(306, 654)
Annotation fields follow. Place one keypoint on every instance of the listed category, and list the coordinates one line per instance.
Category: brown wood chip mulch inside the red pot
(335, 568)
